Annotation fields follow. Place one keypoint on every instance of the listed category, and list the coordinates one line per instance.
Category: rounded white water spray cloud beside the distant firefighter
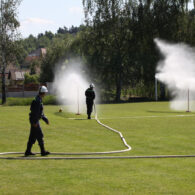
(70, 85)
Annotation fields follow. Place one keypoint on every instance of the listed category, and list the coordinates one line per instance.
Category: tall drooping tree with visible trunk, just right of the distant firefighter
(110, 38)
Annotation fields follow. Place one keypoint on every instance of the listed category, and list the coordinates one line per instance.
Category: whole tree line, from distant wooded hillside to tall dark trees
(117, 43)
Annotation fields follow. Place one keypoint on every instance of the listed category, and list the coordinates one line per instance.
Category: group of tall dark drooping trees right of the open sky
(123, 32)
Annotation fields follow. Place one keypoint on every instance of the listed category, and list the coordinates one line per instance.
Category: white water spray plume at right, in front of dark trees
(177, 71)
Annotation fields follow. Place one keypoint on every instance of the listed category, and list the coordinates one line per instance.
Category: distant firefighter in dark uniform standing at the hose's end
(90, 96)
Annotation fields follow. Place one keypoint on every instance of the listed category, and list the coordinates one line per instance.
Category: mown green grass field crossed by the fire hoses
(149, 128)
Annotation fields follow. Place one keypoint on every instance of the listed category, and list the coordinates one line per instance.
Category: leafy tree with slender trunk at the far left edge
(8, 35)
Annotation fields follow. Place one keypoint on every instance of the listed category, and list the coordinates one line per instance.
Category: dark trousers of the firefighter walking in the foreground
(35, 134)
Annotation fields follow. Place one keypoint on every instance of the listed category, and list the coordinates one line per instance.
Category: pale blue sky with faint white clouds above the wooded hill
(38, 16)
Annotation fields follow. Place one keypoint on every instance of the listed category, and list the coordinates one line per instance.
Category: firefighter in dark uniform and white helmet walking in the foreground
(35, 115)
